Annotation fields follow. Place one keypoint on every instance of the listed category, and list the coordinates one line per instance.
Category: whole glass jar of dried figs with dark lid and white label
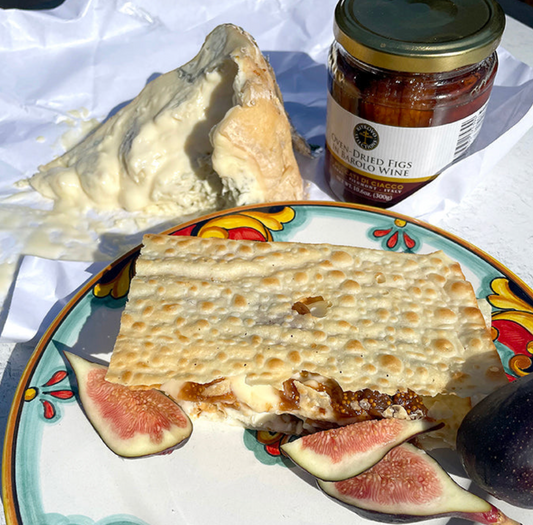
(408, 86)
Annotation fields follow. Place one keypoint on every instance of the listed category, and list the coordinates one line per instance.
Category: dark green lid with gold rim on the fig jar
(419, 36)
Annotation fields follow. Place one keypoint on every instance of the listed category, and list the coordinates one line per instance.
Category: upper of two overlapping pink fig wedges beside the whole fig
(344, 452)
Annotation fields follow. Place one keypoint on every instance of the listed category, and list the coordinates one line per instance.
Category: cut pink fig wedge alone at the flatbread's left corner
(132, 423)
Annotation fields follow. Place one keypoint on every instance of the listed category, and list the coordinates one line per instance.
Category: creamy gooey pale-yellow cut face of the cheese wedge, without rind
(156, 151)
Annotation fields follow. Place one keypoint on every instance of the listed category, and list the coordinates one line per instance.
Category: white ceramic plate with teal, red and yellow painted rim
(57, 471)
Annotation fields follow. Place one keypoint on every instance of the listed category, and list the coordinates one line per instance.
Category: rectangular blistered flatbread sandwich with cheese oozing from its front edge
(223, 316)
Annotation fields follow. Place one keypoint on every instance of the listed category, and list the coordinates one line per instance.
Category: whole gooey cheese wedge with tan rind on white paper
(210, 135)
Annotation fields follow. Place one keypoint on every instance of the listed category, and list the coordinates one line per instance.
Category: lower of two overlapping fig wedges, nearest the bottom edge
(408, 485)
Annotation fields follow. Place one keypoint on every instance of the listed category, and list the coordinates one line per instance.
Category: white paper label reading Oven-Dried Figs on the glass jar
(391, 153)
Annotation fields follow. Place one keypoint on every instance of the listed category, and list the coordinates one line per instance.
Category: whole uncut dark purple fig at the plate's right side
(495, 441)
